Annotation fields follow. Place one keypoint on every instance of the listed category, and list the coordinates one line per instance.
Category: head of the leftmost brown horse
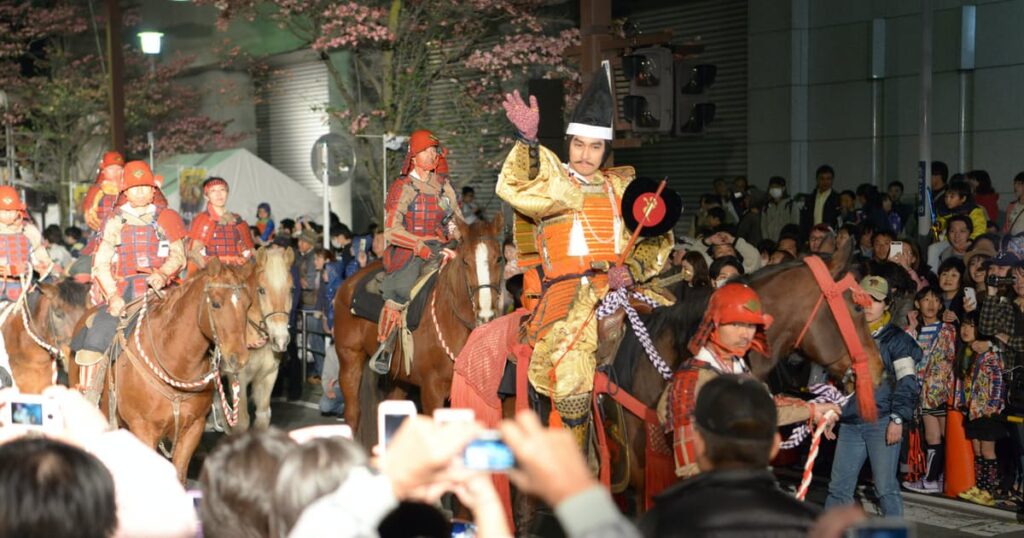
(60, 310)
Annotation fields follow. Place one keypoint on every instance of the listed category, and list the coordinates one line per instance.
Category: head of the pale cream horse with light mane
(271, 286)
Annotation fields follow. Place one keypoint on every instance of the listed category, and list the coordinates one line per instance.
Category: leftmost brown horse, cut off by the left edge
(49, 318)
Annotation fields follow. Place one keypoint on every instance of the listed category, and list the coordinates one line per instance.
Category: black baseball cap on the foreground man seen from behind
(737, 407)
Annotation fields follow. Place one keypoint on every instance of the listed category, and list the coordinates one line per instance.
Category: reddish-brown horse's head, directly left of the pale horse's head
(223, 314)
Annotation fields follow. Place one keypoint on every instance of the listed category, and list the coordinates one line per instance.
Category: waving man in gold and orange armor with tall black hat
(570, 235)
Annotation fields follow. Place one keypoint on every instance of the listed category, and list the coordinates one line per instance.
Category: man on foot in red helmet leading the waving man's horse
(734, 324)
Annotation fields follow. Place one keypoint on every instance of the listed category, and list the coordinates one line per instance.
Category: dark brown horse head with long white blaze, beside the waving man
(481, 264)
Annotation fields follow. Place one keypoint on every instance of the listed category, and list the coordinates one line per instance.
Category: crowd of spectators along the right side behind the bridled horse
(959, 296)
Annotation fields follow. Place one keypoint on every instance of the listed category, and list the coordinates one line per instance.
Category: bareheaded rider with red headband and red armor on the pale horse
(219, 232)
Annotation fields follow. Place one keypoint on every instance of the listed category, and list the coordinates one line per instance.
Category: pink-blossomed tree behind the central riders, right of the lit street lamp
(421, 64)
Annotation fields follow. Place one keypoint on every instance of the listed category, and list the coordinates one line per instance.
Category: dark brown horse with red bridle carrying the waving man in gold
(789, 293)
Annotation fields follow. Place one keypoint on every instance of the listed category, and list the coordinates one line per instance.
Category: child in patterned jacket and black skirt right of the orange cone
(982, 400)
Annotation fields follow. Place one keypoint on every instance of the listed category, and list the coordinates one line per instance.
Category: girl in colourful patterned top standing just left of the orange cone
(937, 341)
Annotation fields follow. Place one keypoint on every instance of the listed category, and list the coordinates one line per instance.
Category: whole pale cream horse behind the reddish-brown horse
(271, 284)
